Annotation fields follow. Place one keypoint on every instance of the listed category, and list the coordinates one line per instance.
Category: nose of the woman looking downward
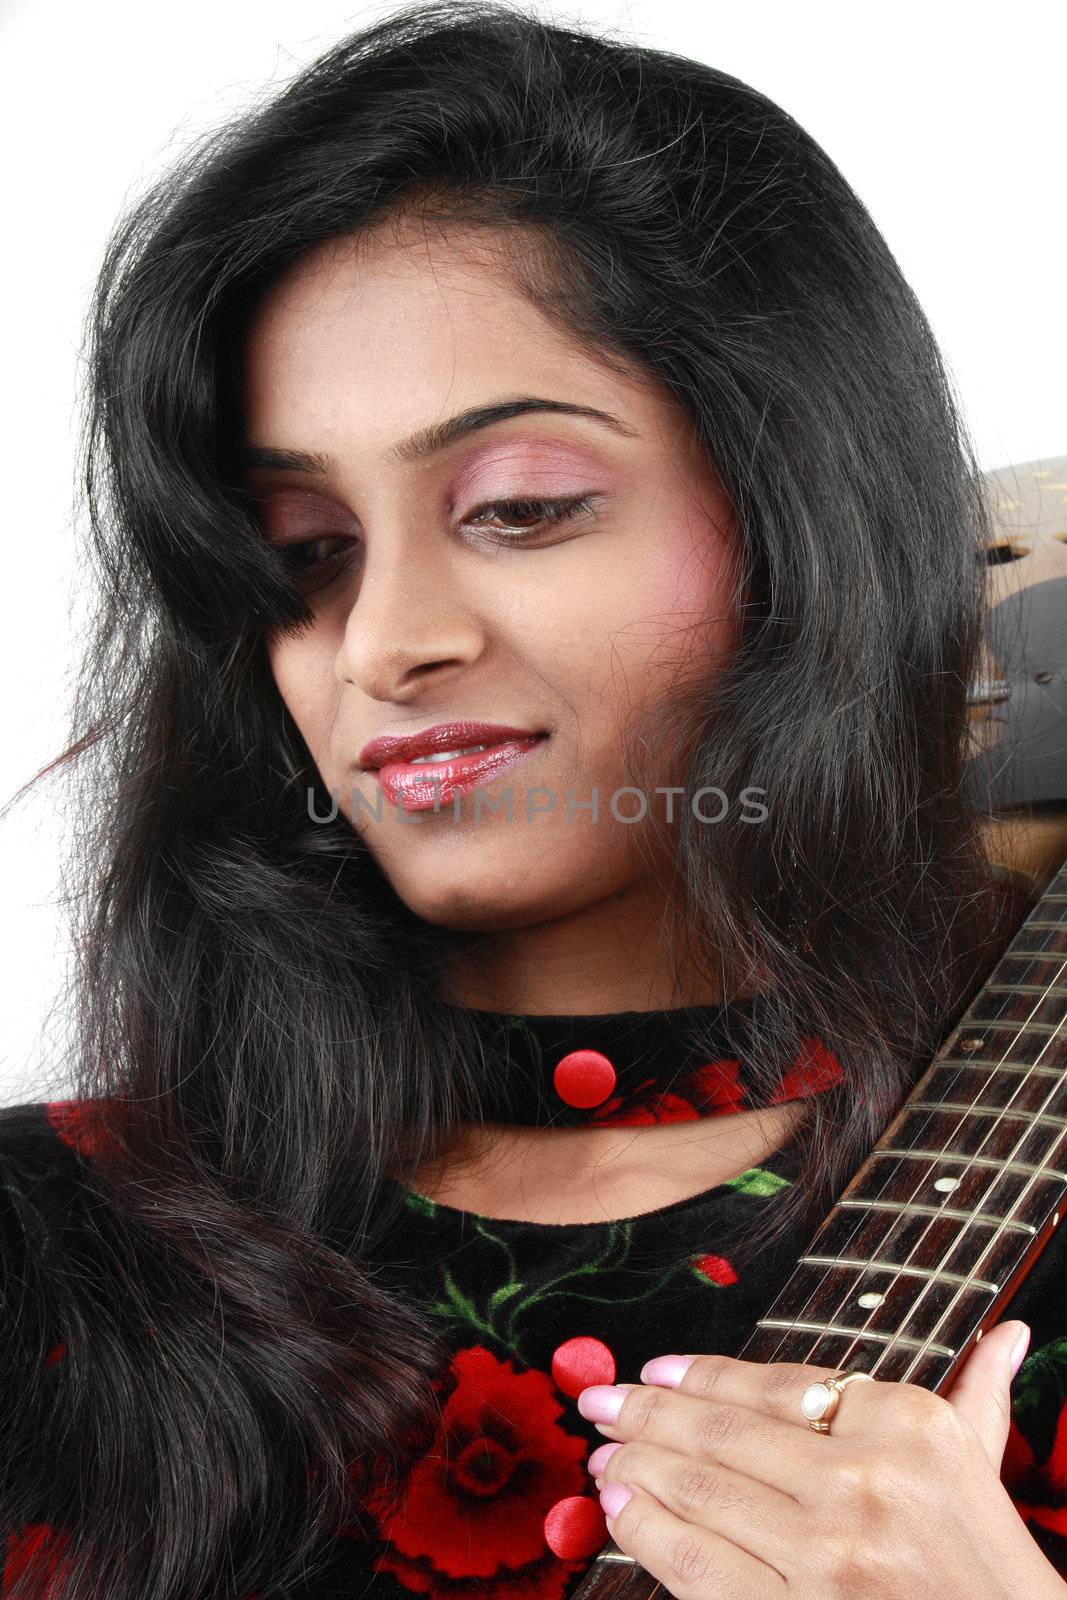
(410, 622)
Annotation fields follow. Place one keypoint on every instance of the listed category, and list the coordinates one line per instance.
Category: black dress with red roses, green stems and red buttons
(532, 1313)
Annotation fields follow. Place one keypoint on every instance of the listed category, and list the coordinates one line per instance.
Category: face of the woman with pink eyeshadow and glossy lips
(438, 601)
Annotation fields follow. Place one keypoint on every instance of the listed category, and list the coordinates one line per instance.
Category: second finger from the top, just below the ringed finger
(780, 1455)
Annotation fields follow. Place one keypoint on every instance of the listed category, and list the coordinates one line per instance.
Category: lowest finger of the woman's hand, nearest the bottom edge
(692, 1564)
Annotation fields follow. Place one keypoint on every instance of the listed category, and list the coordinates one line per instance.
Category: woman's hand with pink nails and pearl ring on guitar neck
(722, 1492)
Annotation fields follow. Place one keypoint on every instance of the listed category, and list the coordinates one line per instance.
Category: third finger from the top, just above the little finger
(757, 1519)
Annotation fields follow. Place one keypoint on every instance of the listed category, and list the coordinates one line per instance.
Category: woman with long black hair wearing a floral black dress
(503, 386)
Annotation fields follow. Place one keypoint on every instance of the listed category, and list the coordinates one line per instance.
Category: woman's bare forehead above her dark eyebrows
(404, 324)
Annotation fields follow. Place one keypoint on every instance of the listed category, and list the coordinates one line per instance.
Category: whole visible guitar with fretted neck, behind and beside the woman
(956, 1202)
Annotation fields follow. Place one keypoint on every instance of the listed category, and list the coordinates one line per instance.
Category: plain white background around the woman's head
(948, 119)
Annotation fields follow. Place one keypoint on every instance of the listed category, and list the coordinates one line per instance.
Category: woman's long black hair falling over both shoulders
(263, 1028)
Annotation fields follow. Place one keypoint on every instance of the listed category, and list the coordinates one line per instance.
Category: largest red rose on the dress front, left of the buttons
(474, 1505)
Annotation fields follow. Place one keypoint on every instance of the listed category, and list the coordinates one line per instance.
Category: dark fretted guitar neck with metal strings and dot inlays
(949, 1210)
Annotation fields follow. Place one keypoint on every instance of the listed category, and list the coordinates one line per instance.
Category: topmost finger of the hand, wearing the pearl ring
(773, 1388)
